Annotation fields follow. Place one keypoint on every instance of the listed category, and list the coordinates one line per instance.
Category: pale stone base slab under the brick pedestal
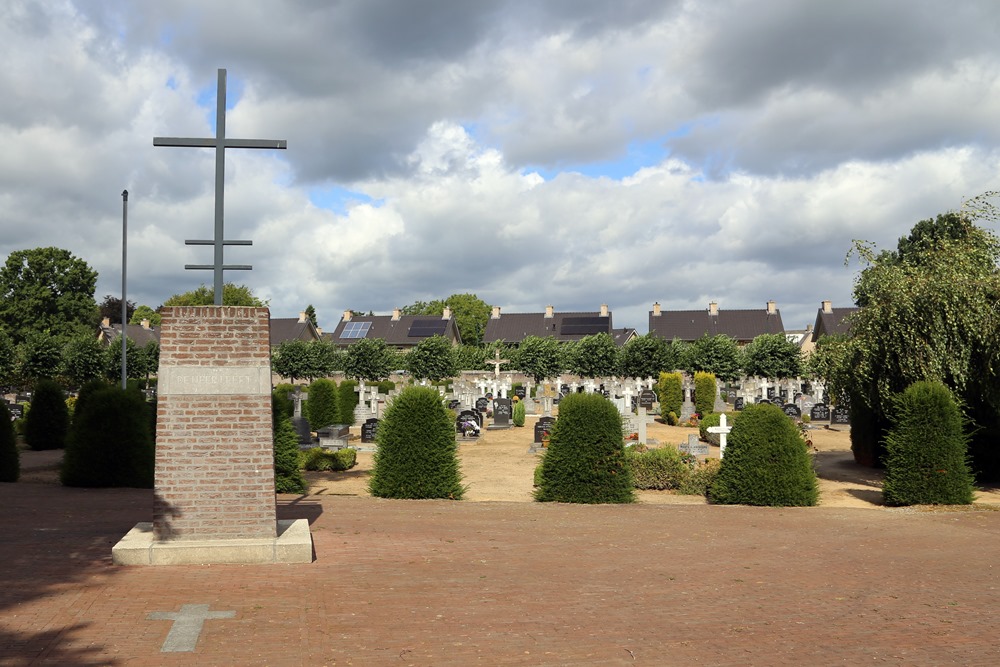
(292, 545)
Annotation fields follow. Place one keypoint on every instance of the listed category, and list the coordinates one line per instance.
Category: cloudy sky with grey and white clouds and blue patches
(563, 152)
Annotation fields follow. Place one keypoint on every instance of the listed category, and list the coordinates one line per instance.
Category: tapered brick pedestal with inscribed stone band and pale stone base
(214, 484)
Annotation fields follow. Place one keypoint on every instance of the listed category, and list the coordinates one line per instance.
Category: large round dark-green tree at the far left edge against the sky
(47, 290)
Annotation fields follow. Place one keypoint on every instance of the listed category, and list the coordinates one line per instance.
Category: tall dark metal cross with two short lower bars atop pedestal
(220, 143)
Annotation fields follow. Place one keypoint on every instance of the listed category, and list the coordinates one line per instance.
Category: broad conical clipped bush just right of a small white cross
(766, 462)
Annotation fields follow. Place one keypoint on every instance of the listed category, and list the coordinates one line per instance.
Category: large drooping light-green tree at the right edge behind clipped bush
(928, 313)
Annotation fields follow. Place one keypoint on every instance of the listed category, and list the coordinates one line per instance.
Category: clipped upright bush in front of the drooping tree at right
(927, 450)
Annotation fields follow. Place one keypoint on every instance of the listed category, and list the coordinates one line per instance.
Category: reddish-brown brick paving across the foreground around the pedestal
(450, 583)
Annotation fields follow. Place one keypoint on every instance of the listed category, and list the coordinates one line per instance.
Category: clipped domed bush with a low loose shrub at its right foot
(585, 460)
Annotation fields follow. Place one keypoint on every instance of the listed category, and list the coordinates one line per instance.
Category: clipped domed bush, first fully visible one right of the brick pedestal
(416, 455)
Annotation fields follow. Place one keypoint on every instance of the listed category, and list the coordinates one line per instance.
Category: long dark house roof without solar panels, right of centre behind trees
(690, 325)
